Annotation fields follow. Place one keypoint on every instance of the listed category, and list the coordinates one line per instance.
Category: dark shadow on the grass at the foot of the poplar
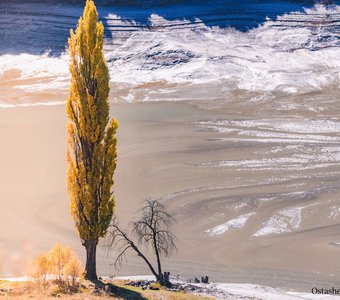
(118, 291)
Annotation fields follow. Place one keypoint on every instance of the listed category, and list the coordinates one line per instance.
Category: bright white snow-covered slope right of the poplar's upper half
(297, 51)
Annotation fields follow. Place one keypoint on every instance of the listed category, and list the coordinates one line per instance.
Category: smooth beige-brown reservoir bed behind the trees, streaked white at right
(256, 200)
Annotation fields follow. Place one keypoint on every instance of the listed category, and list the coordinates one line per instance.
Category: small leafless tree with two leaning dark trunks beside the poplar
(152, 229)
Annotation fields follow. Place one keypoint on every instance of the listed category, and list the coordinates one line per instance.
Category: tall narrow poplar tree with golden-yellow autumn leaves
(92, 151)
